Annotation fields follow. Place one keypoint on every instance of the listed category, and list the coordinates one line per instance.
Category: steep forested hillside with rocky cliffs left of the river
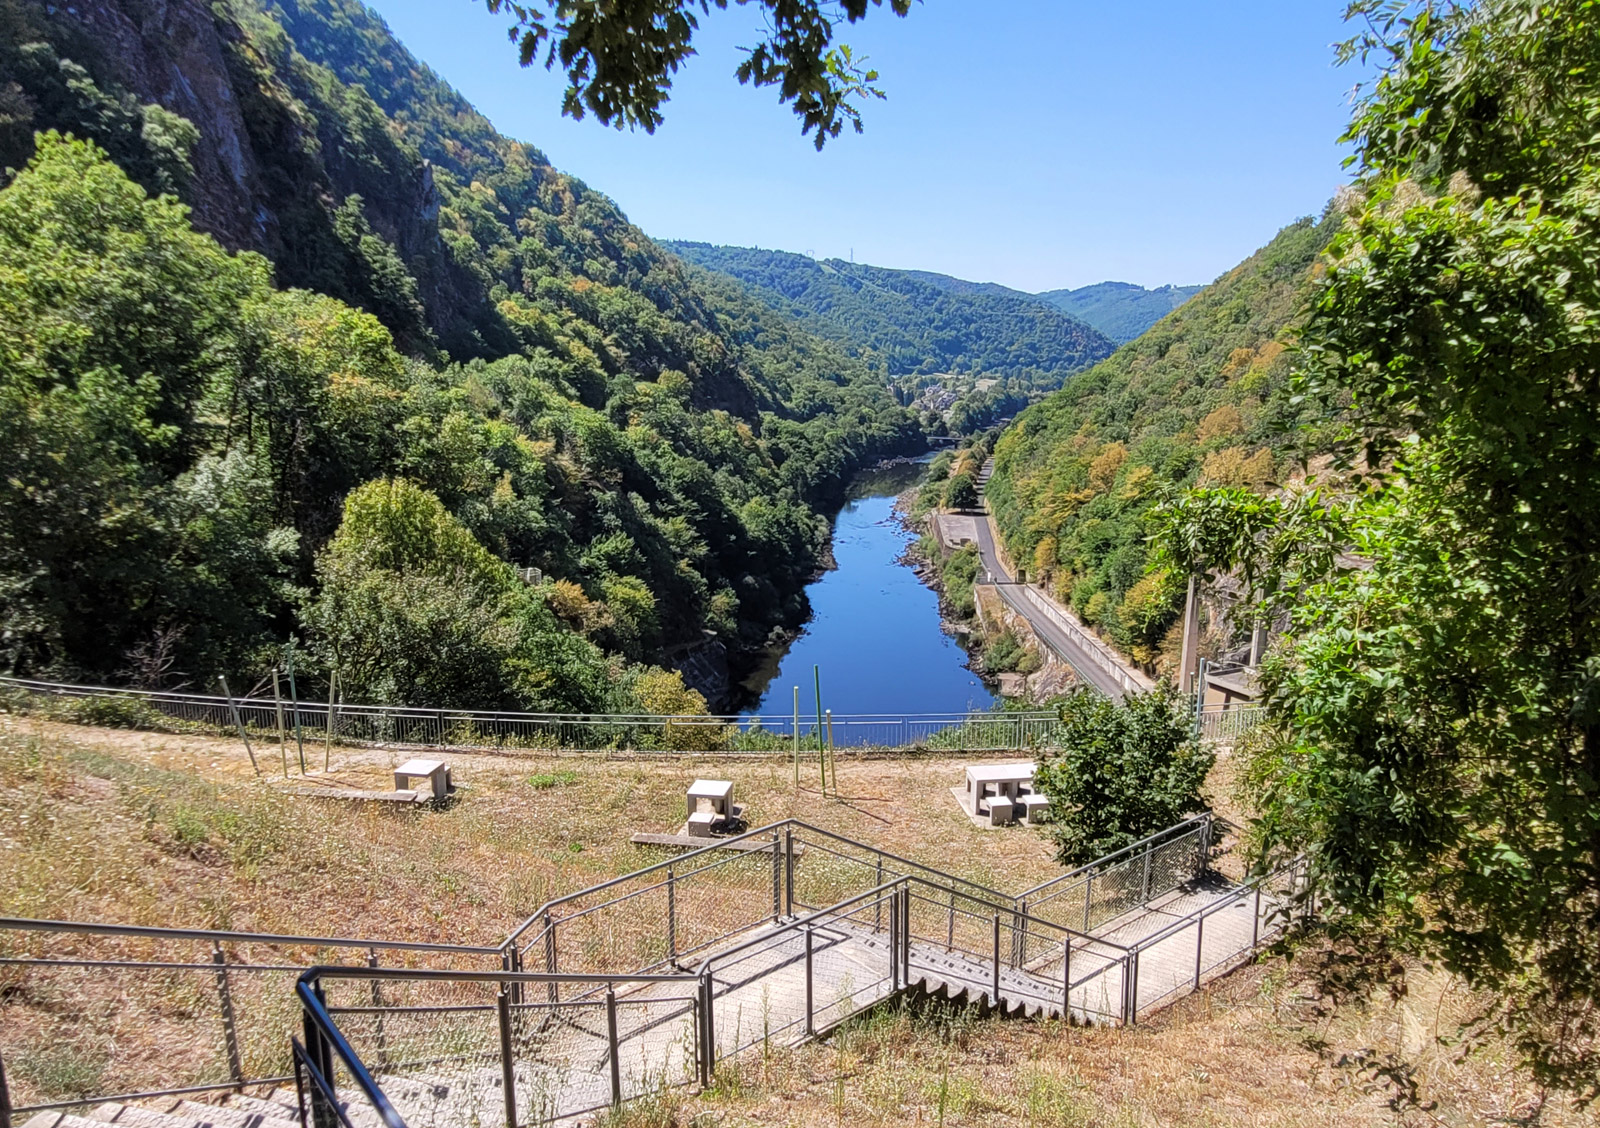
(362, 362)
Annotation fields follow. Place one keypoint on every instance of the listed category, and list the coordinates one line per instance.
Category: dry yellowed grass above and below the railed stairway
(159, 830)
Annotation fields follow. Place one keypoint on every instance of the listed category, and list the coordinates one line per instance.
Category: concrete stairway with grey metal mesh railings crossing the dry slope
(644, 983)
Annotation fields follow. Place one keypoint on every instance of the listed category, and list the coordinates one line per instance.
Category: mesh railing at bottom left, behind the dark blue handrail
(90, 1014)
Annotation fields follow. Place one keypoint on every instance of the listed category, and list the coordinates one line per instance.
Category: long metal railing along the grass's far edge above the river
(321, 726)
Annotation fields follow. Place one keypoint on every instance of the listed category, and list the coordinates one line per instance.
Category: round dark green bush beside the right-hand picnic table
(1124, 772)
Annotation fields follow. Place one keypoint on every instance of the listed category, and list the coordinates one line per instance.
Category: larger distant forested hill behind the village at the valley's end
(918, 329)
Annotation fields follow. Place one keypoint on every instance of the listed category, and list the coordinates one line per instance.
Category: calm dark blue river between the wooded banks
(874, 628)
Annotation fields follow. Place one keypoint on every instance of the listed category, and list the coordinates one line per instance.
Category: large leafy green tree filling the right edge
(1436, 735)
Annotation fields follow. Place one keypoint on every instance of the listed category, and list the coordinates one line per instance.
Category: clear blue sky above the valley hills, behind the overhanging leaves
(1033, 143)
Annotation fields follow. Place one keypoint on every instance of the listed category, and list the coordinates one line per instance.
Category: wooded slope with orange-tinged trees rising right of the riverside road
(1199, 398)
